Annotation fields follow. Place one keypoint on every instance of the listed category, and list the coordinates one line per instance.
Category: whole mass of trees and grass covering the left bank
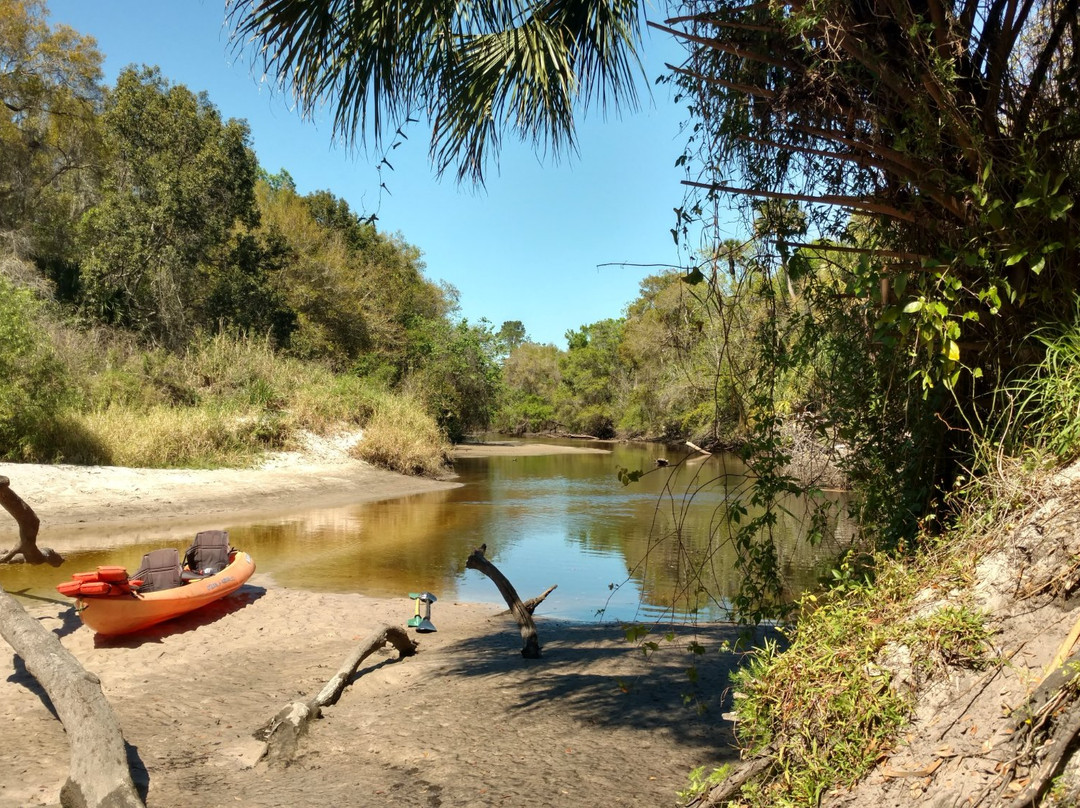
(142, 239)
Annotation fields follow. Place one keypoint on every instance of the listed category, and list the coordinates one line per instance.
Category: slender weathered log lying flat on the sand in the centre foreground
(282, 734)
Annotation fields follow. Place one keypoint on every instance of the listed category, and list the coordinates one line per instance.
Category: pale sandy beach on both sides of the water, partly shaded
(466, 722)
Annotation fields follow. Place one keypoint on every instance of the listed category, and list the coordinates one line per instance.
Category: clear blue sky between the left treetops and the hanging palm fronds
(529, 247)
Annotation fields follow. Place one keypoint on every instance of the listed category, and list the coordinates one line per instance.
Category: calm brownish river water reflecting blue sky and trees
(626, 554)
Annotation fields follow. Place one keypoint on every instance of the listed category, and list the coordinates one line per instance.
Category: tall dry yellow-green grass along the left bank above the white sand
(222, 403)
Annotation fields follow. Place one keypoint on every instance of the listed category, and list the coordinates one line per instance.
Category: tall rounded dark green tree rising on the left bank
(178, 182)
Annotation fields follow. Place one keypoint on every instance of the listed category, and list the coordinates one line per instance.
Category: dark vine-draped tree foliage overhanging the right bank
(933, 150)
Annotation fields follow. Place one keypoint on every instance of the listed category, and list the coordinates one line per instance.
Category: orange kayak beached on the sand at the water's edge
(119, 610)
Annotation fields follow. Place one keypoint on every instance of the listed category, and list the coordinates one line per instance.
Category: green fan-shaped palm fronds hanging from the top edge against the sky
(475, 69)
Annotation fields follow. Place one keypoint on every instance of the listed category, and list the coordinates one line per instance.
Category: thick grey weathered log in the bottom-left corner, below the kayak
(99, 776)
